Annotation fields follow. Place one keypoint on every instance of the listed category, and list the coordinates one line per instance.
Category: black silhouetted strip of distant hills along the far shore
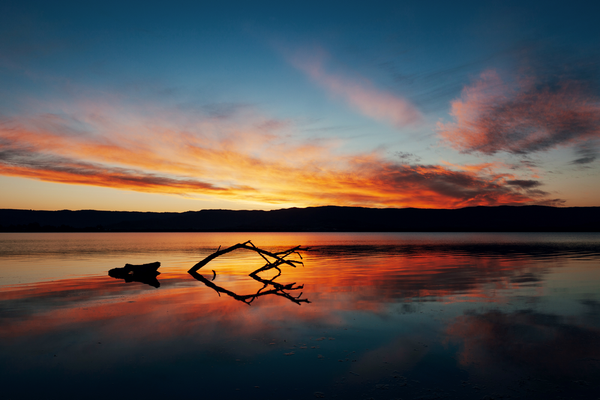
(311, 219)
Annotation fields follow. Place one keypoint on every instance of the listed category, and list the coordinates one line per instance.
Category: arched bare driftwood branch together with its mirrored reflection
(275, 288)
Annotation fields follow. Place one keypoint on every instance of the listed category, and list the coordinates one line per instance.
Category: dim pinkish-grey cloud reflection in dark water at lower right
(527, 340)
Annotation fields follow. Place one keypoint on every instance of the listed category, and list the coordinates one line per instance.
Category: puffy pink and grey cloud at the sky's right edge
(530, 114)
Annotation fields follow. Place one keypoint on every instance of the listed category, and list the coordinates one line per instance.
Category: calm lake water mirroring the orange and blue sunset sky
(389, 316)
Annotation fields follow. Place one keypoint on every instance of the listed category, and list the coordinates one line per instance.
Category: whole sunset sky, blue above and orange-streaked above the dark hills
(176, 106)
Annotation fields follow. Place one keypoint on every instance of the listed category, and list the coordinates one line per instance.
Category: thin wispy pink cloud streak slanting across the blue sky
(360, 94)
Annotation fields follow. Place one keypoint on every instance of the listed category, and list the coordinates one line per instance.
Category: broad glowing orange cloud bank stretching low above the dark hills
(240, 155)
